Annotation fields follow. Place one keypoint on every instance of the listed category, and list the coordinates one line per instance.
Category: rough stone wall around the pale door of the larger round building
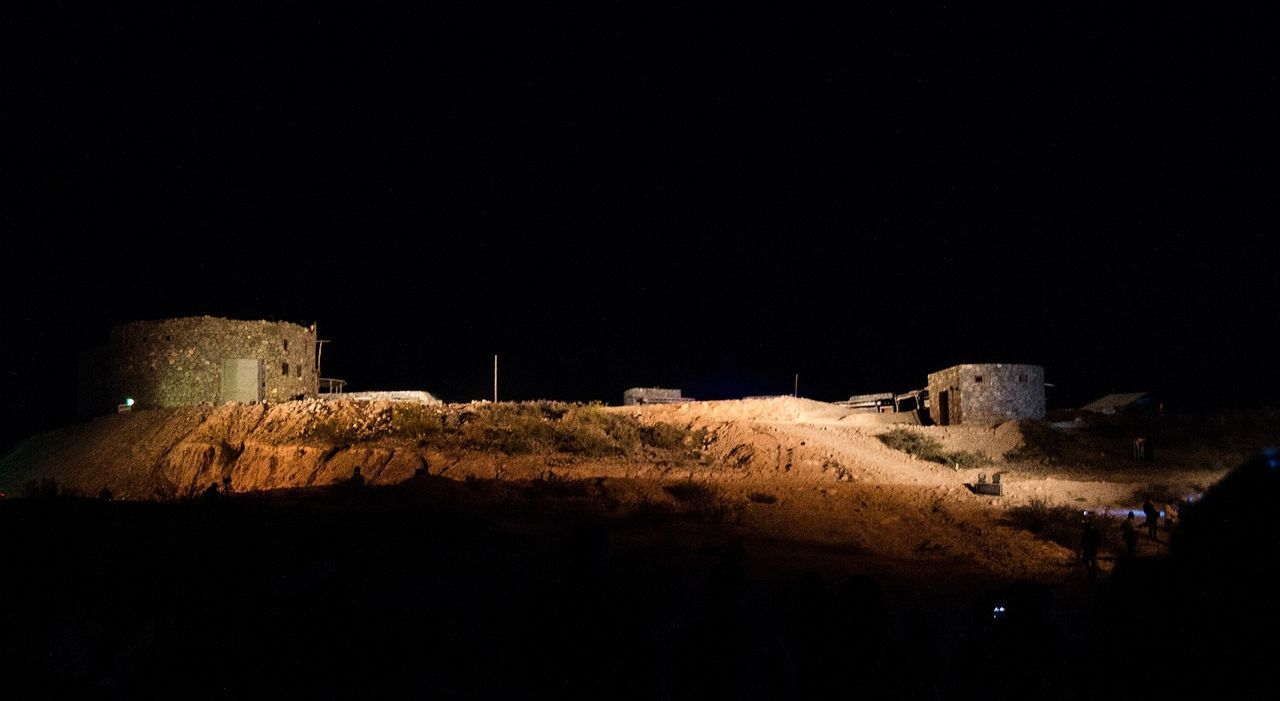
(179, 361)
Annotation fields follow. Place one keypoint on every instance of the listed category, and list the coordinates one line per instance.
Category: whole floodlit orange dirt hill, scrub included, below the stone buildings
(784, 470)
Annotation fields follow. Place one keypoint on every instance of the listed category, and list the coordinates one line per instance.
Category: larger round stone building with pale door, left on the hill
(175, 363)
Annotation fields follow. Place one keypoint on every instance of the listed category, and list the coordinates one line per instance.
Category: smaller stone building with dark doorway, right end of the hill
(986, 393)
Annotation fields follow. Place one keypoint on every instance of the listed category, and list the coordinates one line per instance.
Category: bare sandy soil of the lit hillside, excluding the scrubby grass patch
(797, 474)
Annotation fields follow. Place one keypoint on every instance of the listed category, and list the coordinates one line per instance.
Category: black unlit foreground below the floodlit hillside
(437, 589)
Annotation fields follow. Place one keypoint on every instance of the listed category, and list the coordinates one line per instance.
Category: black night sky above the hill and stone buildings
(633, 195)
